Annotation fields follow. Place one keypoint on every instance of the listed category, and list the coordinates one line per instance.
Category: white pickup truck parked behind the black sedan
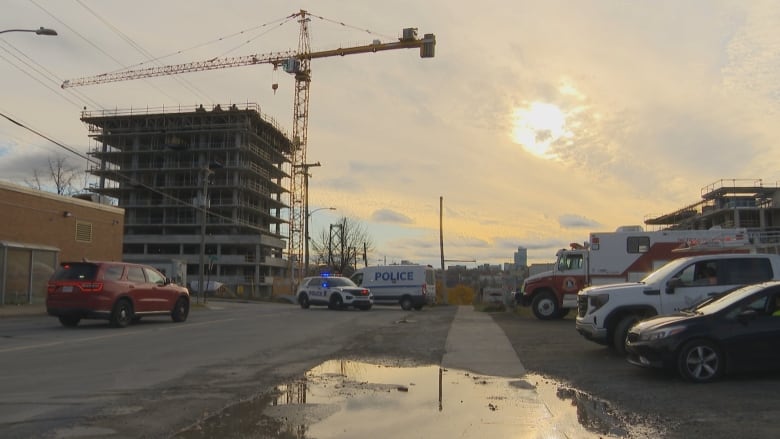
(605, 313)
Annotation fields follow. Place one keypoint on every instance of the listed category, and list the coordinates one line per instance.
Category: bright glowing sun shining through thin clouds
(537, 127)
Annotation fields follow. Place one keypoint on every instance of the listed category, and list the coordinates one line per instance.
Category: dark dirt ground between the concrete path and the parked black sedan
(743, 406)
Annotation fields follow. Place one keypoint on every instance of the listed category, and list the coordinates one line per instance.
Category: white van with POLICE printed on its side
(410, 286)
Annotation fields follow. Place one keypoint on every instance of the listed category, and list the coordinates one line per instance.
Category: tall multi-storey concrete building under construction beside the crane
(170, 168)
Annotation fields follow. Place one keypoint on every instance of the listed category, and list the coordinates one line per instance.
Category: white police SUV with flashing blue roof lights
(335, 292)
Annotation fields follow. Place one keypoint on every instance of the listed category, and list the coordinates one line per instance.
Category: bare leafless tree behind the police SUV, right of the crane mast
(343, 246)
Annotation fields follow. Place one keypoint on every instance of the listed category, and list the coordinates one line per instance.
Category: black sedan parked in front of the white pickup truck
(739, 331)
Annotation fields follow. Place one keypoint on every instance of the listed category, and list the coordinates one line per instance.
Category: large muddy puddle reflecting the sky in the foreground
(349, 399)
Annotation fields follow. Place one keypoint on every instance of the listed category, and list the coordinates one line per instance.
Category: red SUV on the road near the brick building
(117, 291)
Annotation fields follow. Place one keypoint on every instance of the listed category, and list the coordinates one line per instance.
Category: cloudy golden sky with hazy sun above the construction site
(536, 123)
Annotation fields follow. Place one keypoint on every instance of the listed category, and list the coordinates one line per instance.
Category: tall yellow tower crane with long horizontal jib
(296, 63)
